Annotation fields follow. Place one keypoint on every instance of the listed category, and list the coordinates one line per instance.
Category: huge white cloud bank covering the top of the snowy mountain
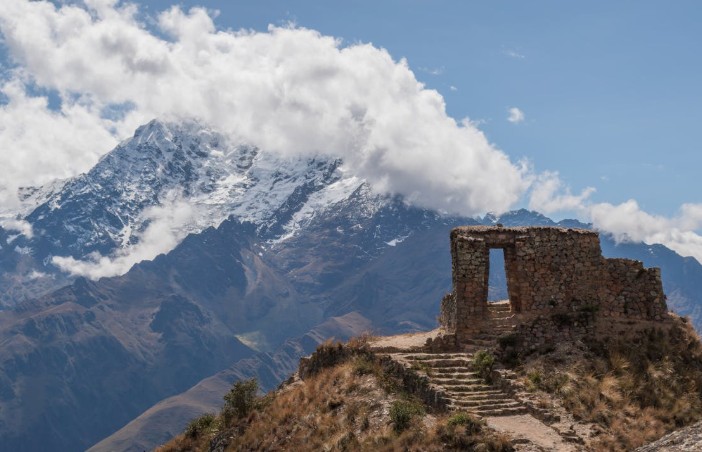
(288, 90)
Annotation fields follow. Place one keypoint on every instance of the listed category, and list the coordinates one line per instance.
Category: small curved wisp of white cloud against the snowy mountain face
(165, 231)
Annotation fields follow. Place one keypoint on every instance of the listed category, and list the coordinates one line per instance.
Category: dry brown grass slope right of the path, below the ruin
(636, 392)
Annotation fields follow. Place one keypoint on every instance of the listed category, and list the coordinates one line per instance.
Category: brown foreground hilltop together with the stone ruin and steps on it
(583, 356)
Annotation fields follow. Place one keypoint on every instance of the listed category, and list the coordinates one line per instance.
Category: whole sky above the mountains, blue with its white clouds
(603, 97)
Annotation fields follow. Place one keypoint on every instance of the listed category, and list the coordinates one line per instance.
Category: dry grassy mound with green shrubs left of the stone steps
(348, 406)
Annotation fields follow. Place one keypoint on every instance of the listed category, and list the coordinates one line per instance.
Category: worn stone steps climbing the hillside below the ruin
(463, 389)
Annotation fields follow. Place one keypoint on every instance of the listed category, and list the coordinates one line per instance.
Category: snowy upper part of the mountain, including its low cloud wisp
(174, 179)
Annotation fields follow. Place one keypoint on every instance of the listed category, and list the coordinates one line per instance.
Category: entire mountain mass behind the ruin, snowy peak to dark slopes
(307, 253)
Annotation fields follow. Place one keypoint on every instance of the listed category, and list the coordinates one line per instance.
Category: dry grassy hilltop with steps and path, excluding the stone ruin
(369, 395)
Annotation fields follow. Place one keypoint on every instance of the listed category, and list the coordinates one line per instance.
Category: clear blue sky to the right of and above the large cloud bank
(610, 91)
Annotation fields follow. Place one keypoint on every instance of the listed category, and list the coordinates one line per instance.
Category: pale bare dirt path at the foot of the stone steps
(526, 426)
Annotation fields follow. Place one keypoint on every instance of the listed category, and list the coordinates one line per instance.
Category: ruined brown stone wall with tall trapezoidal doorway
(549, 270)
